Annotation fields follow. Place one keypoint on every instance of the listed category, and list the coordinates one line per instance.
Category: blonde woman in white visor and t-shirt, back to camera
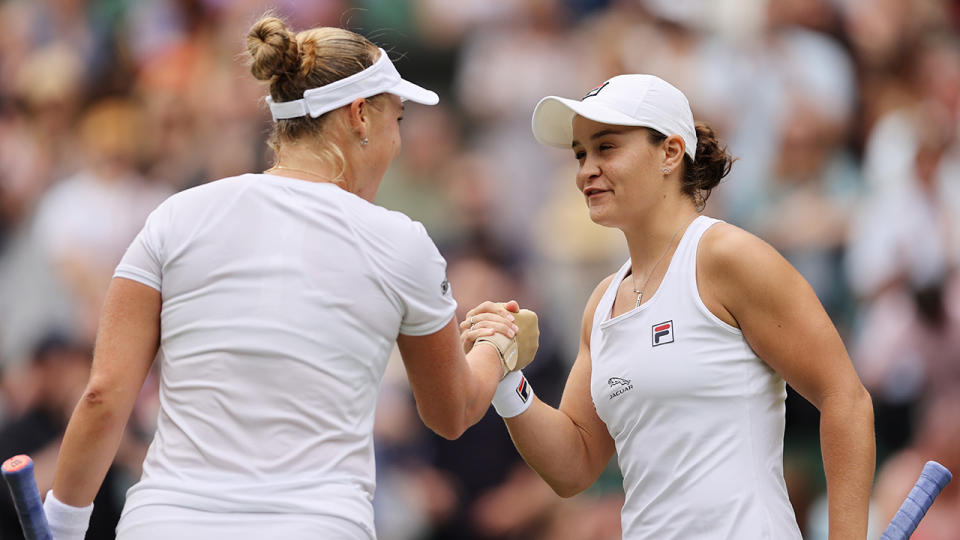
(272, 302)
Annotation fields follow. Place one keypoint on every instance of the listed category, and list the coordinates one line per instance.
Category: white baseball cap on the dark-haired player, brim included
(625, 100)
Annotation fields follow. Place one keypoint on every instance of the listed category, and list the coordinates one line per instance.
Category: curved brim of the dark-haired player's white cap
(553, 119)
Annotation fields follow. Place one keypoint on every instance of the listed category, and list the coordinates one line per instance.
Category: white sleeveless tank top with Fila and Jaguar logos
(697, 417)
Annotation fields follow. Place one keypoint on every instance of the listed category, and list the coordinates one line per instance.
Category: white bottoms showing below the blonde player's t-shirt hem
(162, 522)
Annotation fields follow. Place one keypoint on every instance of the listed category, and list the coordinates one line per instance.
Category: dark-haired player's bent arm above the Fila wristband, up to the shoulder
(568, 447)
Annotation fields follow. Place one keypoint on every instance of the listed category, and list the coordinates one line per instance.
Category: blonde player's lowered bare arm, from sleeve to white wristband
(127, 342)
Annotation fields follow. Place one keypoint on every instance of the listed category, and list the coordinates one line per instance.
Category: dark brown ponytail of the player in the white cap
(713, 162)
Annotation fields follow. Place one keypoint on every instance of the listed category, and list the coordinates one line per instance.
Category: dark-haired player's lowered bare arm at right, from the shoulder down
(746, 282)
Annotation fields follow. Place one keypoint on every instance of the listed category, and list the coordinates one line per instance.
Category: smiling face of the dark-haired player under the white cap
(620, 171)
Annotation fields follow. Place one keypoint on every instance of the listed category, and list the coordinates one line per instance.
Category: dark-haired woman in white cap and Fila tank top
(684, 350)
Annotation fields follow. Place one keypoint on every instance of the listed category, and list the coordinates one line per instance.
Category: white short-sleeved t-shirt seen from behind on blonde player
(282, 299)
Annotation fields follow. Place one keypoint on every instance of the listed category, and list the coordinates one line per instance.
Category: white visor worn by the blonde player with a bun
(381, 77)
